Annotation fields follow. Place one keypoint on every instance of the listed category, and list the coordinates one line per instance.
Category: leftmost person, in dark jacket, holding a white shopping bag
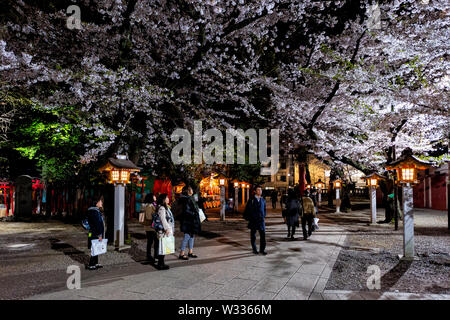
(96, 229)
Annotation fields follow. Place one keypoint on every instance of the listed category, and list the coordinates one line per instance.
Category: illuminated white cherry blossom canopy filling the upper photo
(345, 79)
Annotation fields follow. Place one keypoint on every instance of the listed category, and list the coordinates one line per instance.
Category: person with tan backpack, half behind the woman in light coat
(148, 208)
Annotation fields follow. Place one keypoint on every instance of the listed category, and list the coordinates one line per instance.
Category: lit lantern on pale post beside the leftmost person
(118, 172)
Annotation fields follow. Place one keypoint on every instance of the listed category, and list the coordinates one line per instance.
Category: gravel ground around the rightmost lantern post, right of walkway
(380, 245)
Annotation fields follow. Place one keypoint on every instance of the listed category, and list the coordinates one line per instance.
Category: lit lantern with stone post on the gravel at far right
(407, 166)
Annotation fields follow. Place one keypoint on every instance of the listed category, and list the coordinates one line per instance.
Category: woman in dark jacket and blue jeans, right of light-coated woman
(189, 221)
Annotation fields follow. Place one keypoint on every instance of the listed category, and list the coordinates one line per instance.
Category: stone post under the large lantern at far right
(408, 223)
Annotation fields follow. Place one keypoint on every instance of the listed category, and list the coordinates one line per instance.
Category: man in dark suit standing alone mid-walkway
(255, 213)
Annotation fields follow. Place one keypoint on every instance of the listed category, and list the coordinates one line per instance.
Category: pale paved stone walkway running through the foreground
(226, 269)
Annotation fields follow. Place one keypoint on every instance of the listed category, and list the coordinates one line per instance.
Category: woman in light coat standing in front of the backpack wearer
(165, 226)
